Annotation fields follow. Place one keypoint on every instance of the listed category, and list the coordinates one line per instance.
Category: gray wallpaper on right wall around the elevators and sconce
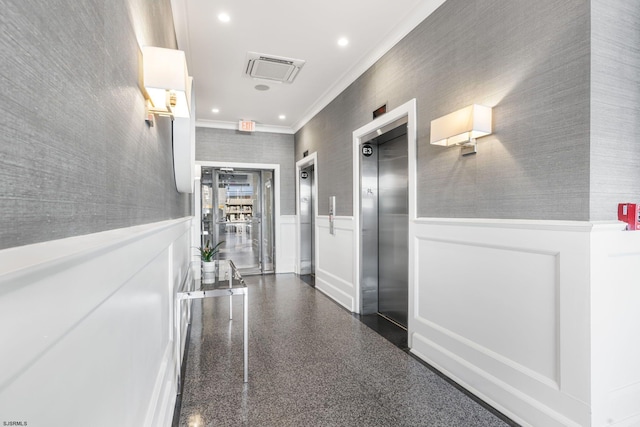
(528, 60)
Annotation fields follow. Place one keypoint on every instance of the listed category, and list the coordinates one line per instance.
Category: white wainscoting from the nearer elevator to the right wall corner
(502, 307)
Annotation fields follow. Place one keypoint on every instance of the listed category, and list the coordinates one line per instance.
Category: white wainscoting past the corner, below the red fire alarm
(615, 334)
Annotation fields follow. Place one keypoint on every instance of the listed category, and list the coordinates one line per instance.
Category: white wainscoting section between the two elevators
(335, 269)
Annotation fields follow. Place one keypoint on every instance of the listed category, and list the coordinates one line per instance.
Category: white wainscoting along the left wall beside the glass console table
(88, 327)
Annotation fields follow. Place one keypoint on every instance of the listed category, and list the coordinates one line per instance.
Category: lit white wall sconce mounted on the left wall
(165, 80)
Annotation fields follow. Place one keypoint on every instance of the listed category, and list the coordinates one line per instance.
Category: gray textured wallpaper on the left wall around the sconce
(76, 156)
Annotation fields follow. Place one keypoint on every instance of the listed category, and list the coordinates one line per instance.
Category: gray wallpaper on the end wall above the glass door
(222, 145)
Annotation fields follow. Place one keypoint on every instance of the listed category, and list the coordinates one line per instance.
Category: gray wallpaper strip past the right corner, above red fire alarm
(615, 105)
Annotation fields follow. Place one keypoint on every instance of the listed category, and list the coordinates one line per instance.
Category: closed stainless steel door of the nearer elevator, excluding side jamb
(393, 229)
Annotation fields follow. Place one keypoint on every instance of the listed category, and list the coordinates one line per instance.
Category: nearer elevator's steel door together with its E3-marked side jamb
(384, 218)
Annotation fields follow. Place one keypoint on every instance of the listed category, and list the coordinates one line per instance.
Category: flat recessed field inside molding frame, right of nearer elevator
(513, 315)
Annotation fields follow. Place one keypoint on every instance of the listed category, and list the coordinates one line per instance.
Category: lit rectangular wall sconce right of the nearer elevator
(462, 127)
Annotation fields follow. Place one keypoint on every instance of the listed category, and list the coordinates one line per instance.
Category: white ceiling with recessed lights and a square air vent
(308, 30)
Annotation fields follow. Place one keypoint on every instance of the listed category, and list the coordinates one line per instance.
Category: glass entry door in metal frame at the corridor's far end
(242, 217)
